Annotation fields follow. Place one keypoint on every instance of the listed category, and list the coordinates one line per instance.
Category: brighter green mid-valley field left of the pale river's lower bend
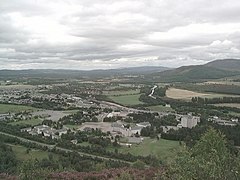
(126, 99)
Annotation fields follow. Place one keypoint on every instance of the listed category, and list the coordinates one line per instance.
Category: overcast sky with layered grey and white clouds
(103, 34)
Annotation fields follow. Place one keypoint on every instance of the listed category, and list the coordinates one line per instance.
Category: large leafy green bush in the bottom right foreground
(210, 158)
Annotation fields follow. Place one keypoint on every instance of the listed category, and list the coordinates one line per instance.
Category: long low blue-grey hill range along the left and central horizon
(62, 73)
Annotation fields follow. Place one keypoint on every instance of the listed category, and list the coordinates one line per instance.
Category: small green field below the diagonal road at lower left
(22, 155)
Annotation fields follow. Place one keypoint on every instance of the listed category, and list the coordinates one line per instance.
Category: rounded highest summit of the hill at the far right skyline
(225, 64)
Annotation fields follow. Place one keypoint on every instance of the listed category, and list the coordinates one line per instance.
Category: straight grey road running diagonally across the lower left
(64, 149)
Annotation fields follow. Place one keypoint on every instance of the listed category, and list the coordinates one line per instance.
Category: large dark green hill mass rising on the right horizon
(213, 70)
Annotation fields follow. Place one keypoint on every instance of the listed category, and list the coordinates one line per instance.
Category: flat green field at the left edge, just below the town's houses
(6, 108)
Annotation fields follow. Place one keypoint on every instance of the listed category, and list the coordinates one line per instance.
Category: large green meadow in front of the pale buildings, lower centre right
(163, 149)
